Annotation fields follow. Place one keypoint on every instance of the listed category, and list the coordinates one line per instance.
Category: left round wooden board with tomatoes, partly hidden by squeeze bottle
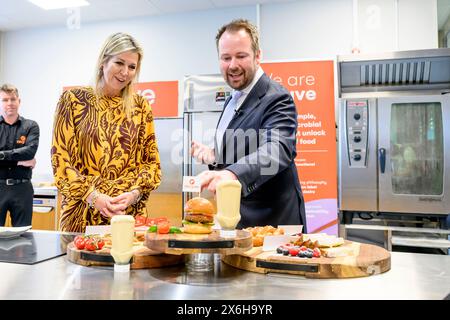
(143, 258)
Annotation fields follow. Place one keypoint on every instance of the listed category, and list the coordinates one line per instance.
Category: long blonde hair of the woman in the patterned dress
(115, 44)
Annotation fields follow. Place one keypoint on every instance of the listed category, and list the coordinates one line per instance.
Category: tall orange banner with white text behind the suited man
(311, 84)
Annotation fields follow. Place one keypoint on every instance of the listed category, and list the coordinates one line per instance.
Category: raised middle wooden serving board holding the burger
(184, 243)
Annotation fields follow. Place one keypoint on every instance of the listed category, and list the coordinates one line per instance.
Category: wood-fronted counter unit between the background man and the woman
(45, 208)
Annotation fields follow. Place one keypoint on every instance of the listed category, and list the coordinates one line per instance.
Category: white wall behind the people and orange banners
(41, 61)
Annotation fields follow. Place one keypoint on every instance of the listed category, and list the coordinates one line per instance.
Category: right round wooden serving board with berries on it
(360, 260)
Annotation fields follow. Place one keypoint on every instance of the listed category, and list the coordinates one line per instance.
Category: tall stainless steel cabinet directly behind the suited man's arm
(204, 98)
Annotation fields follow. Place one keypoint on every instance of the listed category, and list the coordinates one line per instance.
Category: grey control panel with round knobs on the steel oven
(357, 143)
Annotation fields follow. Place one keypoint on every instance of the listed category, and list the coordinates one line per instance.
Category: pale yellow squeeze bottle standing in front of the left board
(122, 230)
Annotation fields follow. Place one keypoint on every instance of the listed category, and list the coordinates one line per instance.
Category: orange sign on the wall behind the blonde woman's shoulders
(161, 95)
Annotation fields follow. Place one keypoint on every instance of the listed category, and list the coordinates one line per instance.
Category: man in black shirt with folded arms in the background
(19, 140)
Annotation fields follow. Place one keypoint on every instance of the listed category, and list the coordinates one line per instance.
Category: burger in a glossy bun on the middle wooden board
(198, 216)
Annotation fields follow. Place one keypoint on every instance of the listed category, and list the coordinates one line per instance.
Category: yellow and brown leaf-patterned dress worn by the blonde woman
(96, 146)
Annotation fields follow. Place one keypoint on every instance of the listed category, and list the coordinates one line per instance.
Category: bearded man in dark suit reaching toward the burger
(255, 136)
